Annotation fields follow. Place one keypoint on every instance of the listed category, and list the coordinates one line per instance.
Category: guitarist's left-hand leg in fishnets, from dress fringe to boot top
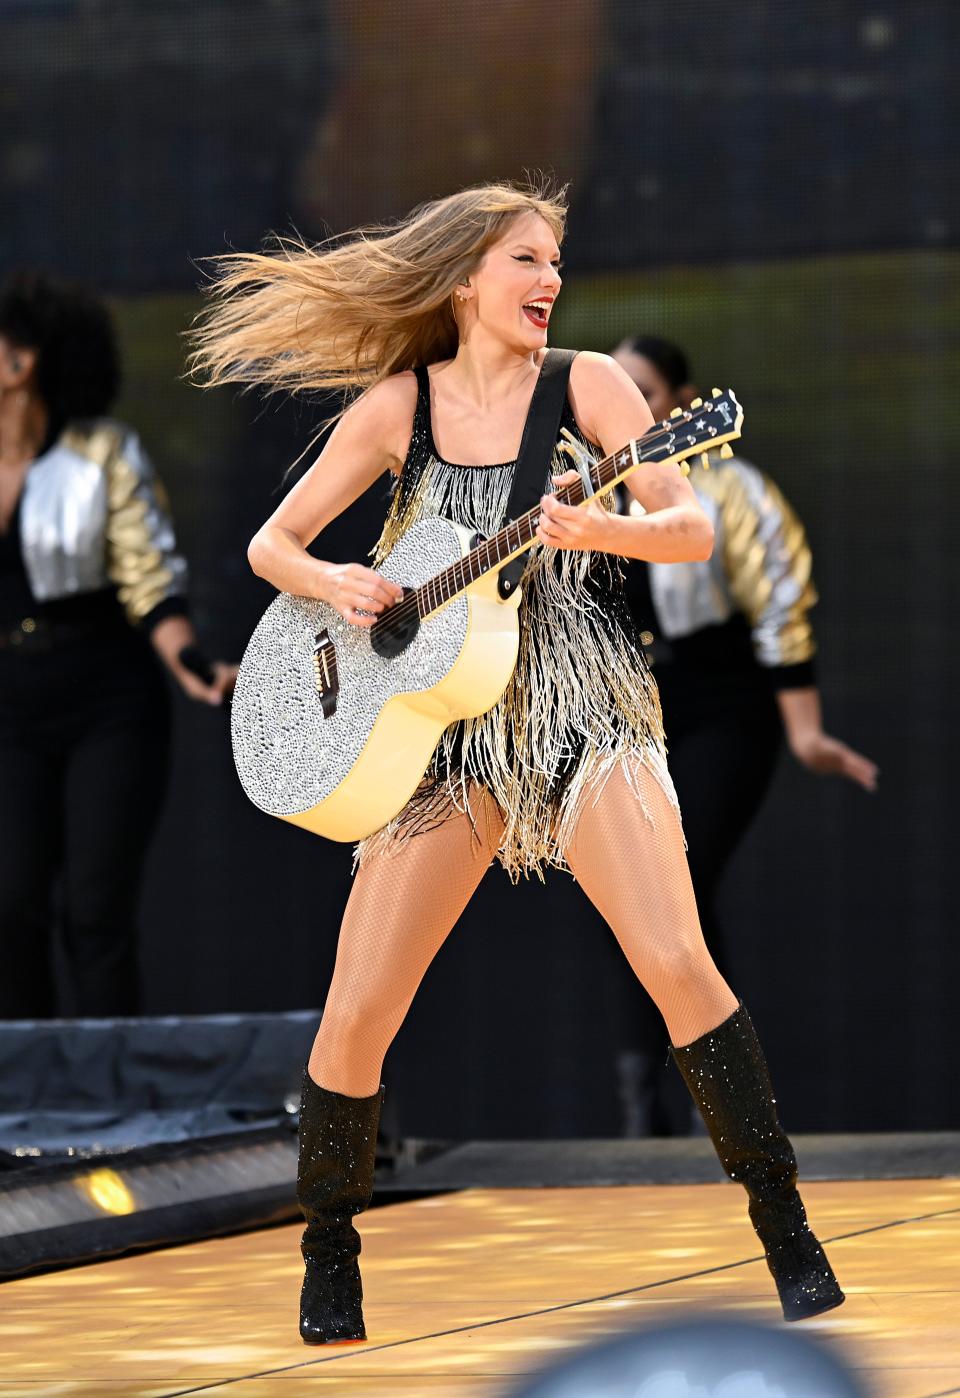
(402, 908)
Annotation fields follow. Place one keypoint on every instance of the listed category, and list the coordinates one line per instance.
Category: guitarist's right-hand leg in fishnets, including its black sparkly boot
(635, 873)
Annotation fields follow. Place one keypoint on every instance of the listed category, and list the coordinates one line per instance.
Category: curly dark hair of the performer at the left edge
(72, 332)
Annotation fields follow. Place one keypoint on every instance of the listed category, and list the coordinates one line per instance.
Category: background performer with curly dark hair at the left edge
(92, 595)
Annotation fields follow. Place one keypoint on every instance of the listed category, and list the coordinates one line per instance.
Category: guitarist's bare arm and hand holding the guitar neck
(611, 410)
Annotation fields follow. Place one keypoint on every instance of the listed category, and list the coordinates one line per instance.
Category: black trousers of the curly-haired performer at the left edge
(85, 733)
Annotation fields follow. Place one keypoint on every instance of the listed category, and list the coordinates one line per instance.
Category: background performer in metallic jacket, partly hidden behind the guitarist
(733, 651)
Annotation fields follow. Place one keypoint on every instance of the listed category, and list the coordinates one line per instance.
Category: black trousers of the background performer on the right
(725, 737)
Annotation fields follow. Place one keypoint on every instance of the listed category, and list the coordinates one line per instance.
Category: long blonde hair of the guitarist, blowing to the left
(350, 312)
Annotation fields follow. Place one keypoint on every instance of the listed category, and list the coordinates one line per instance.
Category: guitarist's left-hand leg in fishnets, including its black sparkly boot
(406, 898)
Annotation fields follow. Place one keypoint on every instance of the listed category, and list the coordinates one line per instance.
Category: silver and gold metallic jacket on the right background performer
(761, 567)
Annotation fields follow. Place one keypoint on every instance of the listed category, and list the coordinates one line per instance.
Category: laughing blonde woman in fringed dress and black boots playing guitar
(444, 322)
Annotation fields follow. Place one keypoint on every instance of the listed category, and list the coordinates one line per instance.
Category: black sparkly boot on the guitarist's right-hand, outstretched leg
(729, 1080)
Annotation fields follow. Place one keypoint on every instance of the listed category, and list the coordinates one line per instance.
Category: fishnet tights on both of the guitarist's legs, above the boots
(405, 904)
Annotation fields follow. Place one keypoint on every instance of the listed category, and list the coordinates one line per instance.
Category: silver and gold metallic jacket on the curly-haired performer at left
(93, 515)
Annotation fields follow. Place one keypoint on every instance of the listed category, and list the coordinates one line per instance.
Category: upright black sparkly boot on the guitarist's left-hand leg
(335, 1181)
